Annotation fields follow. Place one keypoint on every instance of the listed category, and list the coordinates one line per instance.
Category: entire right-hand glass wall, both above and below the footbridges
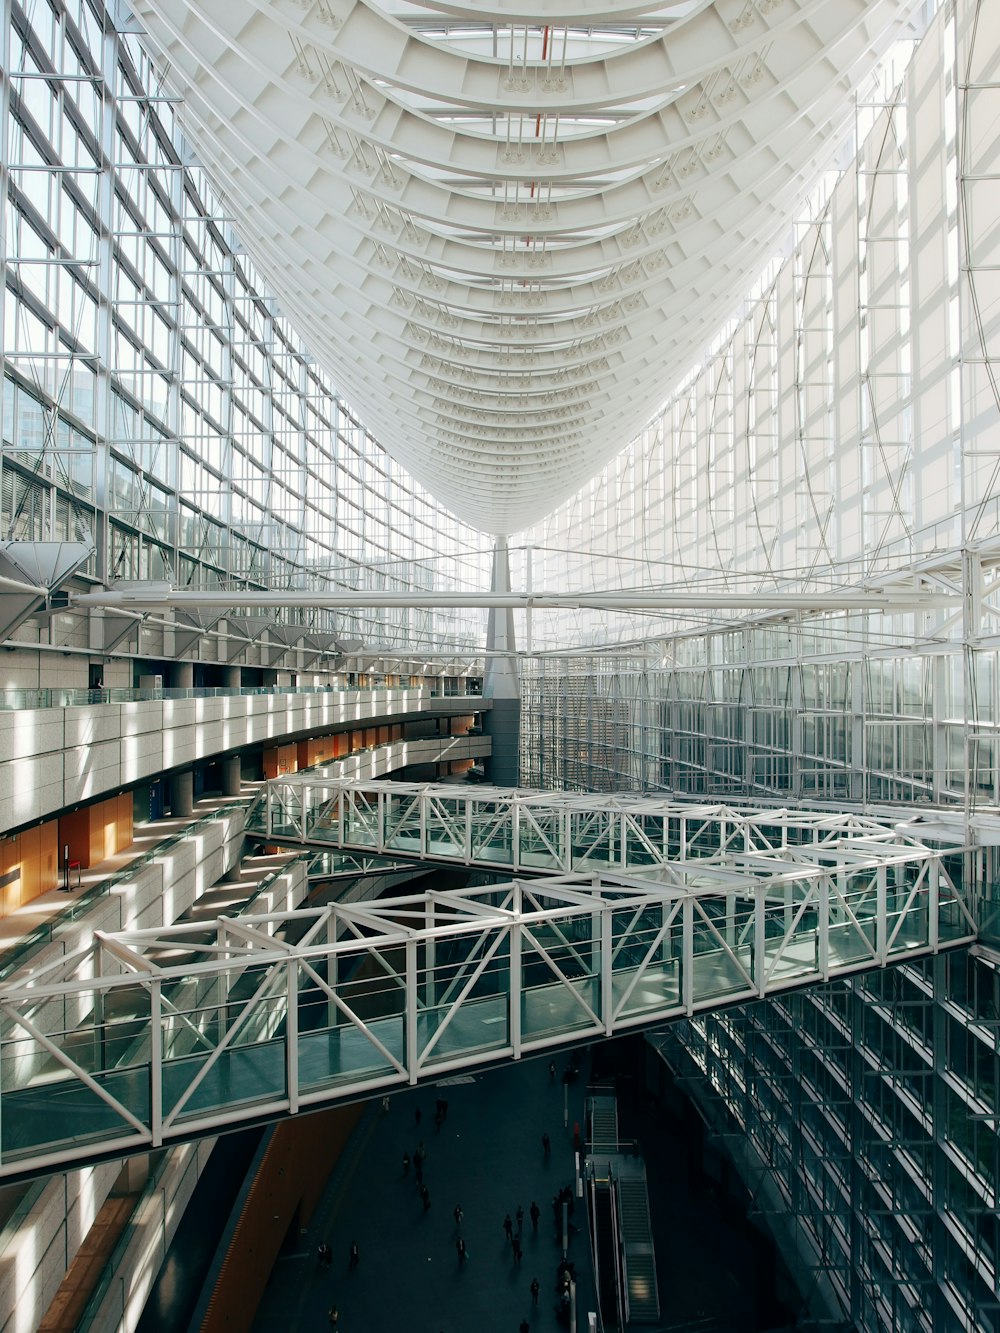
(842, 433)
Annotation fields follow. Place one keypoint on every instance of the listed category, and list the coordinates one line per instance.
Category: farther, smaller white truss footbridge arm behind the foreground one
(565, 832)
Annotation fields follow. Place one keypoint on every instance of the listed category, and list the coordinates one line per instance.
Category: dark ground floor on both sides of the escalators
(715, 1271)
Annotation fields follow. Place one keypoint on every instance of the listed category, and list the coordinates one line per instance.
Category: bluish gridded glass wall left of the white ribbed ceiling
(155, 399)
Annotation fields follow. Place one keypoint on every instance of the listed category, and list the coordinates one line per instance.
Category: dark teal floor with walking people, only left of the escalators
(489, 1158)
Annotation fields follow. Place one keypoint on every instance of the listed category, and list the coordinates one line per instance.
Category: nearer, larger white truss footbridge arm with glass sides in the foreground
(158, 1036)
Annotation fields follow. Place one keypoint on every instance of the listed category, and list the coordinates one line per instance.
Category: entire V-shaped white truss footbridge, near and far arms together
(639, 911)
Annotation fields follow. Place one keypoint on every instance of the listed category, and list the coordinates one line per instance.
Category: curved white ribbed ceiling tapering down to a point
(507, 231)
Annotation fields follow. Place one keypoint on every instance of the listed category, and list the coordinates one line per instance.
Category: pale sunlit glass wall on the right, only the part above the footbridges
(842, 434)
